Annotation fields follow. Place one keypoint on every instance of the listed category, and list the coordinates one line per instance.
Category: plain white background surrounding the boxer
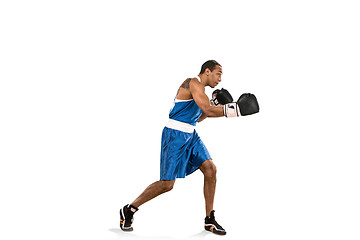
(86, 87)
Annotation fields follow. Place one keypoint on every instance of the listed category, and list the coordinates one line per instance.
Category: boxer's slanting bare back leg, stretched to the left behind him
(153, 191)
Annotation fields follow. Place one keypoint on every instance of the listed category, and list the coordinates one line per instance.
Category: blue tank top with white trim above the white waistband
(186, 111)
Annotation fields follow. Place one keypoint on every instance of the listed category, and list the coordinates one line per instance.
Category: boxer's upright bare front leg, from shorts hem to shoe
(208, 168)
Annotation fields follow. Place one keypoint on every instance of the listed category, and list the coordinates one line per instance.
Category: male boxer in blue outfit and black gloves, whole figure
(182, 151)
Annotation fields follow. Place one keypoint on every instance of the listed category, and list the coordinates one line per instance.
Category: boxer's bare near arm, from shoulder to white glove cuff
(201, 99)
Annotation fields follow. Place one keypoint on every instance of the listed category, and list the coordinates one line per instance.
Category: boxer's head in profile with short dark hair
(212, 71)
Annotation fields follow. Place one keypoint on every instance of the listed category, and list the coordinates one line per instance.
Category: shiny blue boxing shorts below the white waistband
(181, 154)
